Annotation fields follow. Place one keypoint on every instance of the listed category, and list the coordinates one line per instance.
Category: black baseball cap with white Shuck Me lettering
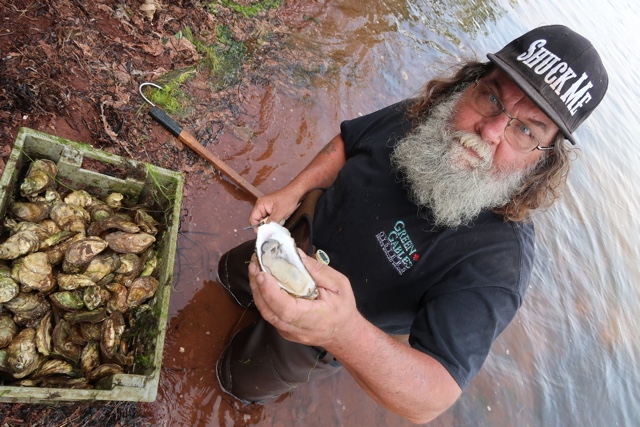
(559, 70)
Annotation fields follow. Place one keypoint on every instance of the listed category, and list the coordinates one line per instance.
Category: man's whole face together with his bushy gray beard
(458, 162)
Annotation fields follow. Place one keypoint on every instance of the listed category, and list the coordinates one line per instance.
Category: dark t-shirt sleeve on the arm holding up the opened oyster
(472, 304)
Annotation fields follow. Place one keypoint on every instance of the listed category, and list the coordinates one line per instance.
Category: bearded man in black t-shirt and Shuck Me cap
(426, 222)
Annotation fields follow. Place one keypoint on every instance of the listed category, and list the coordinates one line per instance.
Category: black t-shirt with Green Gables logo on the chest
(453, 290)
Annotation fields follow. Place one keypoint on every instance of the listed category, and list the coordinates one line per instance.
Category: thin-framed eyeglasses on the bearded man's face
(517, 134)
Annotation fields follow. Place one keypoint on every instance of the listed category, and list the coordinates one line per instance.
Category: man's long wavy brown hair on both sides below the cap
(542, 187)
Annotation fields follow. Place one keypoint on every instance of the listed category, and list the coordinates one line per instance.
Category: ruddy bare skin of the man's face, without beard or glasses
(504, 157)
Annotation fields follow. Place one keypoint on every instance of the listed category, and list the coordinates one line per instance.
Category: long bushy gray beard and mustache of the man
(431, 161)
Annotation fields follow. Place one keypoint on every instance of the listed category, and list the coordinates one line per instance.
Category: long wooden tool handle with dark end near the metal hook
(172, 126)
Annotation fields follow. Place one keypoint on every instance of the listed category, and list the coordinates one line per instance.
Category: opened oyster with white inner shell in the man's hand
(278, 256)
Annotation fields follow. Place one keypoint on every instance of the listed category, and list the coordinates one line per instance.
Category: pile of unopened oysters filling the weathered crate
(74, 276)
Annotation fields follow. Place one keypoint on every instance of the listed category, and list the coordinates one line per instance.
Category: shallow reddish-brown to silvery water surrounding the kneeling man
(571, 355)
